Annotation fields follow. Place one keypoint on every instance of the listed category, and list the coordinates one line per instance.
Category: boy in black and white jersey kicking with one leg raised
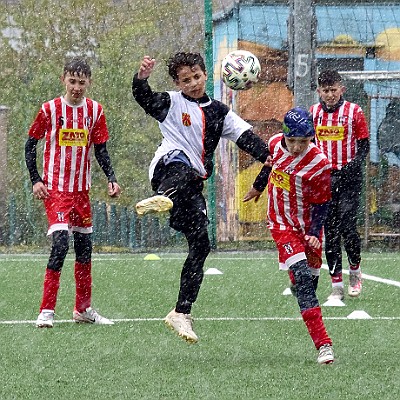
(191, 124)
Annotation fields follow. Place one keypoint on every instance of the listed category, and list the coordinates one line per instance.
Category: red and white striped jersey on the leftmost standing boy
(69, 133)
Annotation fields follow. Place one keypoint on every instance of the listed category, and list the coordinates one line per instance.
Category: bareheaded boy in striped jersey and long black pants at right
(342, 134)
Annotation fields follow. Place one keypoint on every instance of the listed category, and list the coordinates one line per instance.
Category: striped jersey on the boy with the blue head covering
(294, 184)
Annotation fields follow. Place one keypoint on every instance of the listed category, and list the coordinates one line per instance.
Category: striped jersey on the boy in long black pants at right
(336, 133)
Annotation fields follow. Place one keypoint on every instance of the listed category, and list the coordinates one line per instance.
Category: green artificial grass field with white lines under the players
(253, 345)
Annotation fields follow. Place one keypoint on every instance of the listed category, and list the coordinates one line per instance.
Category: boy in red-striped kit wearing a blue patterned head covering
(298, 197)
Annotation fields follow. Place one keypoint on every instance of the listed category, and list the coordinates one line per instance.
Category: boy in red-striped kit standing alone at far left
(71, 126)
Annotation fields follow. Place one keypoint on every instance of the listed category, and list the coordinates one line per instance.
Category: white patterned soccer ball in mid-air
(240, 70)
